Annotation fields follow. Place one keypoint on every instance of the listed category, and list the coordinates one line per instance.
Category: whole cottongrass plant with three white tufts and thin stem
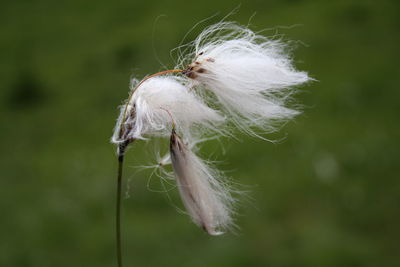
(229, 75)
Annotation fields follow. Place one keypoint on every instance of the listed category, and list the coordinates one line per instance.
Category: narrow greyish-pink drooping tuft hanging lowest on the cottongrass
(206, 197)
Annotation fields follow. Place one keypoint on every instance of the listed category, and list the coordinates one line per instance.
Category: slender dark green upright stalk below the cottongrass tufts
(118, 209)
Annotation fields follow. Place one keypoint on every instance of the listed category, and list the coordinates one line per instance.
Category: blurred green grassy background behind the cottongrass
(328, 195)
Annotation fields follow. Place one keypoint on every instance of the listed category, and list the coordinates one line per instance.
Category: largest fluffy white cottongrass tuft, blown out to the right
(251, 76)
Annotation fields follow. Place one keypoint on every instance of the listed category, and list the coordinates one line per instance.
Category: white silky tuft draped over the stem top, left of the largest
(160, 102)
